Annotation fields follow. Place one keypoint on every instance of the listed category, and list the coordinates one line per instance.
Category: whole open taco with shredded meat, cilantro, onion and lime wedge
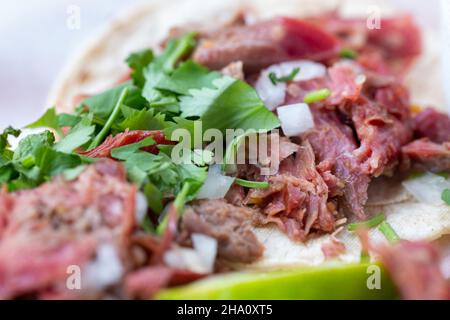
(134, 187)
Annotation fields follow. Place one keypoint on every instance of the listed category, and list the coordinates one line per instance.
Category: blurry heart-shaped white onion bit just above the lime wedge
(200, 259)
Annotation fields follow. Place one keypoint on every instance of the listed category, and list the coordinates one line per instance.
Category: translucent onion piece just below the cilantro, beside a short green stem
(216, 184)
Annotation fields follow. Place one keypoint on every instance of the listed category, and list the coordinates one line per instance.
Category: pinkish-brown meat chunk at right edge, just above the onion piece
(427, 155)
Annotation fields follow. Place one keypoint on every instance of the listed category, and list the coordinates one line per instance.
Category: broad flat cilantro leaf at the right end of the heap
(232, 104)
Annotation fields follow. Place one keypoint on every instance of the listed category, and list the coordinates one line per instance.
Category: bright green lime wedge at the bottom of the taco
(345, 281)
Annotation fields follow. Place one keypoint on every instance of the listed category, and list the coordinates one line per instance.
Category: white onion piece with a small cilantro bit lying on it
(274, 95)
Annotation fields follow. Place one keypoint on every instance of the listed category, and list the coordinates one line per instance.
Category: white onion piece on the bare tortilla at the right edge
(427, 188)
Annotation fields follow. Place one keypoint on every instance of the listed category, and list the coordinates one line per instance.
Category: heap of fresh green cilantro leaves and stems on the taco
(166, 92)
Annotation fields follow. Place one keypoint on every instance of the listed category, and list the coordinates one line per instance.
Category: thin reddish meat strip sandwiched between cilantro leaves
(126, 138)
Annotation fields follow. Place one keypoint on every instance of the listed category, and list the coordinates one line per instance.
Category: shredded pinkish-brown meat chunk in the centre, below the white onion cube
(297, 197)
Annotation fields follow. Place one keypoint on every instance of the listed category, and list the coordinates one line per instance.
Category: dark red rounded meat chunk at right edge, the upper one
(432, 124)
